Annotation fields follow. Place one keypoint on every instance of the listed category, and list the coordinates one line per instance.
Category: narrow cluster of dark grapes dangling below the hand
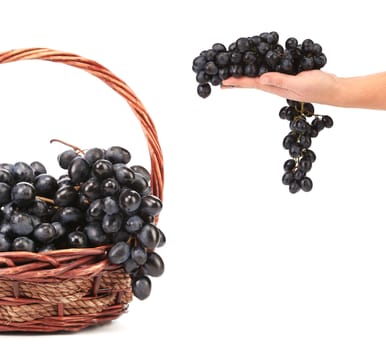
(298, 143)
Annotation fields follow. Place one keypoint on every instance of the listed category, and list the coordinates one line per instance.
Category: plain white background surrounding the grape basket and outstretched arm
(249, 266)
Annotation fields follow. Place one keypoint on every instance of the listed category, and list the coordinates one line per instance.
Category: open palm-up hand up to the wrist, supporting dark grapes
(313, 86)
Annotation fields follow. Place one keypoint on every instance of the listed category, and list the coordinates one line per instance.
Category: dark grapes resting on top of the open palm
(254, 56)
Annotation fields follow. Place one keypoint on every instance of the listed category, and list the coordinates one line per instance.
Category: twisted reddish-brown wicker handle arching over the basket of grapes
(94, 68)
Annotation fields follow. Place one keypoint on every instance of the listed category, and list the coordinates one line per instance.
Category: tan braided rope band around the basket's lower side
(76, 297)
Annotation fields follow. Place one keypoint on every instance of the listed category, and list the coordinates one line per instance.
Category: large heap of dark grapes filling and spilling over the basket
(99, 201)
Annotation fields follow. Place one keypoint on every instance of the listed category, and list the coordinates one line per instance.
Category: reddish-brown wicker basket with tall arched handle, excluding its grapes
(68, 290)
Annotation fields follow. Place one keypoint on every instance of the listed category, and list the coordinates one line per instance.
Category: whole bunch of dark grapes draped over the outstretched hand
(254, 56)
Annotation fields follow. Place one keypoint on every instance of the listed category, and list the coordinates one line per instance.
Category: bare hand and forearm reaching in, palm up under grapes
(316, 86)
